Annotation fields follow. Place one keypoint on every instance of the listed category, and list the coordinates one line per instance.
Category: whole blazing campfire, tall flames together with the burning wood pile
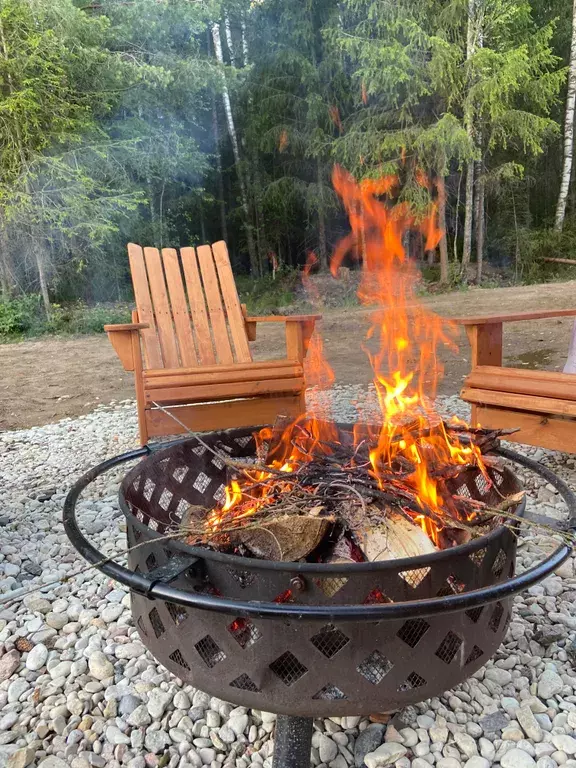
(369, 492)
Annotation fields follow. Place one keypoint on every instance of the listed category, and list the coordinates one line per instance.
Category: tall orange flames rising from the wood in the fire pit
(402, 344)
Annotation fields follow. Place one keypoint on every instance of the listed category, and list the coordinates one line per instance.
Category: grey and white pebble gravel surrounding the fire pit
(78, 689)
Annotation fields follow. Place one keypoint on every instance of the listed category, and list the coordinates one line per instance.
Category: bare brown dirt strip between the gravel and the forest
(46, 380)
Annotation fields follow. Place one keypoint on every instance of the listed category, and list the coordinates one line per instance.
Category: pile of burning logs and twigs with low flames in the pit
(320, 493)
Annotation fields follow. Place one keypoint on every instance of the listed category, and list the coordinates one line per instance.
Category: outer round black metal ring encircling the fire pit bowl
(154, 589)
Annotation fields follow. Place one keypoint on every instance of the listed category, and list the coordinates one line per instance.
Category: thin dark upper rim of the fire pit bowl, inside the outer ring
(418, 561)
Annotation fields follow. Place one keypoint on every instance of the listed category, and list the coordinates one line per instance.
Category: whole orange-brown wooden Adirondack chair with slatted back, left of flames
(188, 346)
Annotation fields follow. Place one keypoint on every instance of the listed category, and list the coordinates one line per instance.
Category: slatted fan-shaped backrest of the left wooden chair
(195, 321)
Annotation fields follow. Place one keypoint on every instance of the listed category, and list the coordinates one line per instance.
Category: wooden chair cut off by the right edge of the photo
(541, 403)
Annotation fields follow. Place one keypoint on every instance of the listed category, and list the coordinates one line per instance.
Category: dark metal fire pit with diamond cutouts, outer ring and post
(303, 639)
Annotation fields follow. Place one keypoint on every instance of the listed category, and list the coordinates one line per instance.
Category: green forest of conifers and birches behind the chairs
(179, 122)
